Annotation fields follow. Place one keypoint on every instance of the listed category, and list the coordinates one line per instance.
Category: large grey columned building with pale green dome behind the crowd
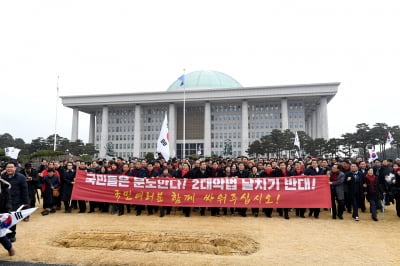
(218, 109)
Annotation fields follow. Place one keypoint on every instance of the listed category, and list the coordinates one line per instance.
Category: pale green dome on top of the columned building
(205, 79)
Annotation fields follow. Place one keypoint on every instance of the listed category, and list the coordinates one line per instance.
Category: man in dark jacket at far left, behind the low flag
(18, 191)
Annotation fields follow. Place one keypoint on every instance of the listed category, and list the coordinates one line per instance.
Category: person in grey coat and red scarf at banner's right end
(336, 180)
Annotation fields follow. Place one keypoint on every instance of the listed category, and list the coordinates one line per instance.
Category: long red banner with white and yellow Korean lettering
(279, 192)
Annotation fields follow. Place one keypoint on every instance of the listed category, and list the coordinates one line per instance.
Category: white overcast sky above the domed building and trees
(140, 46)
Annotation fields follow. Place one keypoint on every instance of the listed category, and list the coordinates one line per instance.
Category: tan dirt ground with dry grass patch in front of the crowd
(105, 239)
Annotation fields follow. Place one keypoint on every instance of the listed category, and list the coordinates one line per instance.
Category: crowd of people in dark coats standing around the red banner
(353, 182)
